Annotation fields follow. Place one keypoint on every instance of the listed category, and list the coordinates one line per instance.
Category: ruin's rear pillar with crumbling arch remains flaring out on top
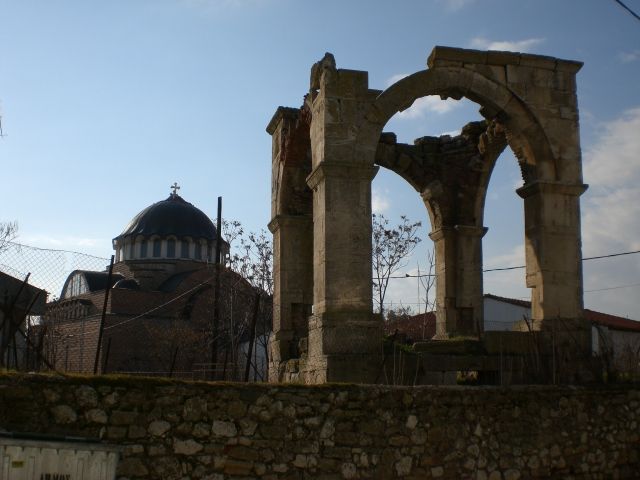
(451, 175)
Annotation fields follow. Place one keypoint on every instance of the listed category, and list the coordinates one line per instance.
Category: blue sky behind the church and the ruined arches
(106, 104)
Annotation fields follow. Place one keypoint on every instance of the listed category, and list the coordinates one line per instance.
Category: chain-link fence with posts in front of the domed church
(166, 323)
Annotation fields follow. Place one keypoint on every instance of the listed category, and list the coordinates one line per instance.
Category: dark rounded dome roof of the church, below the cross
(173, 216)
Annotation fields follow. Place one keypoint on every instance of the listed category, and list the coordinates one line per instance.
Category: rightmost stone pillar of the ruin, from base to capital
(554, 254)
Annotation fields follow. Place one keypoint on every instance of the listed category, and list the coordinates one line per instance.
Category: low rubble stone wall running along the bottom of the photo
(178, 430)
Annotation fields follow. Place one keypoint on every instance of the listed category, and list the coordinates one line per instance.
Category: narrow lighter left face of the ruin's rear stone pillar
(444, 239)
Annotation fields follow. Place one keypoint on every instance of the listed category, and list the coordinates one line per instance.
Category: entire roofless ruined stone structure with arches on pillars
(325, 155)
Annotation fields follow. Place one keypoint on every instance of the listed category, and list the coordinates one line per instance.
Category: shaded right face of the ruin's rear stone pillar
(469, 300)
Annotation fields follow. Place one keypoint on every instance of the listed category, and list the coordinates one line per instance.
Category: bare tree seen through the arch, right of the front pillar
(391, 246)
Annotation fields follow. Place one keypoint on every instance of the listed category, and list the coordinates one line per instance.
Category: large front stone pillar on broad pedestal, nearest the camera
(345, 339)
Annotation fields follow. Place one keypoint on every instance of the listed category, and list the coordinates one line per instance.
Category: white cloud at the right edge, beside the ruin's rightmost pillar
(611, 216)
